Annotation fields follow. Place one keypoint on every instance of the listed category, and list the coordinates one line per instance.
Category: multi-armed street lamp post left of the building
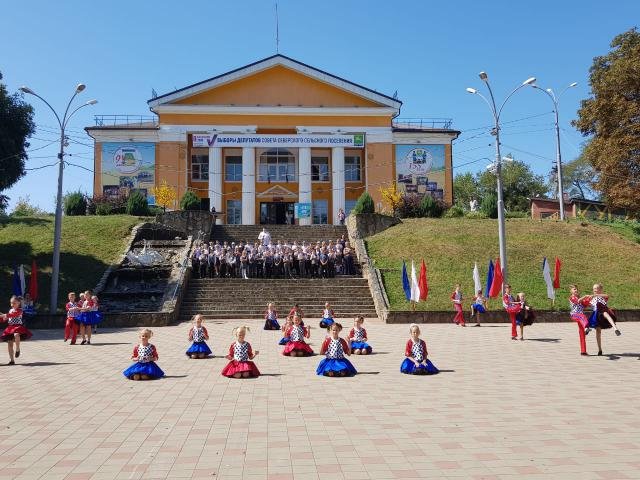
(55, 272)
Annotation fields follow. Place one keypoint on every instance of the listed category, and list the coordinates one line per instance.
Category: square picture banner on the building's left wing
(128, 167)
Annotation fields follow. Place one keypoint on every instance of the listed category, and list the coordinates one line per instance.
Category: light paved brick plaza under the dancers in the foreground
(500, 409)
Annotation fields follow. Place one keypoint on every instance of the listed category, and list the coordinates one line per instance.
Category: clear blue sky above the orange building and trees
(428, 51)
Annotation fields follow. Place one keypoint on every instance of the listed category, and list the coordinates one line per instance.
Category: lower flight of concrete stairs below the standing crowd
(226, 298)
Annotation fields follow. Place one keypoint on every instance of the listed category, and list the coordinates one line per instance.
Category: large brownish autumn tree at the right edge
(611, 117)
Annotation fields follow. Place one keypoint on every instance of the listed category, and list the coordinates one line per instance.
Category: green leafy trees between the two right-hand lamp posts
(519, 184)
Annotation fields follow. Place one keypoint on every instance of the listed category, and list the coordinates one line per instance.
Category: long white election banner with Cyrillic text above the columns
(277, 141)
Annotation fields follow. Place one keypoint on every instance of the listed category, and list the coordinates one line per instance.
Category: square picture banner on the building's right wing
(420, 169)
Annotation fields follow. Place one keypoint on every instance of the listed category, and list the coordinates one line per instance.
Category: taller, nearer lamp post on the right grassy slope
(498, 163)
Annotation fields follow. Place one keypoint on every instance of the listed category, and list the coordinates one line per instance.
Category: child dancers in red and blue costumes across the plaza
(83, 315)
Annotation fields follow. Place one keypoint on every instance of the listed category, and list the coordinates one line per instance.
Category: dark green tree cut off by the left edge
(16, 125)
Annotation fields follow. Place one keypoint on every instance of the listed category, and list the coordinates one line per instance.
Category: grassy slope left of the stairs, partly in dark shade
(89, 245)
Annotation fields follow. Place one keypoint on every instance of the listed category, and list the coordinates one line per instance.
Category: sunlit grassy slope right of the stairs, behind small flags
(590, 253)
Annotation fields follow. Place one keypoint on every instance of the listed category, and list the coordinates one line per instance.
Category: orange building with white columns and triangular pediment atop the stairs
(276, 141)
